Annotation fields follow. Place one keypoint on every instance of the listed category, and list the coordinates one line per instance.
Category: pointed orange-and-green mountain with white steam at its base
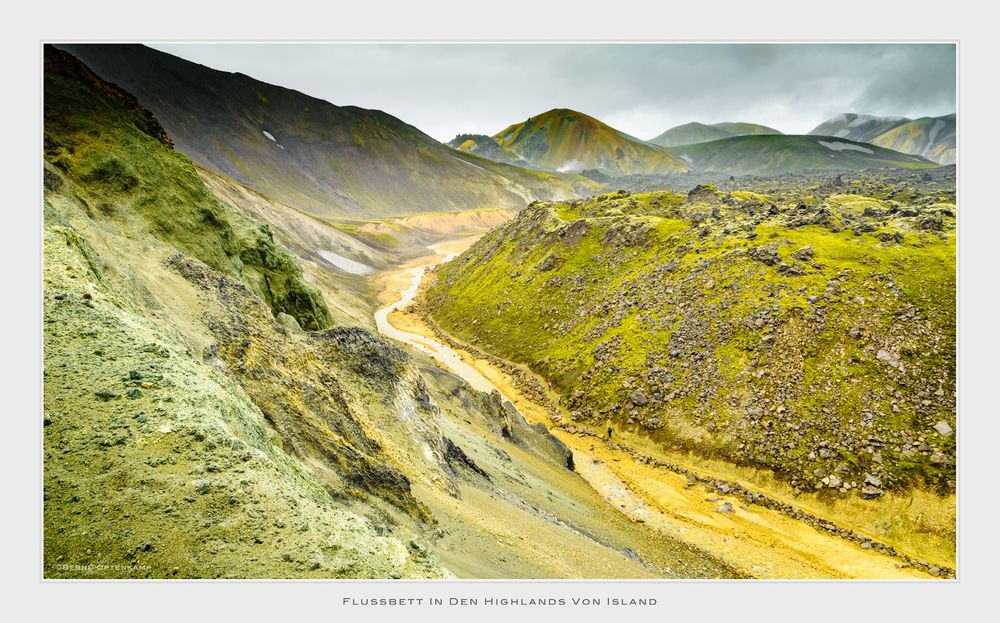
(569, 141)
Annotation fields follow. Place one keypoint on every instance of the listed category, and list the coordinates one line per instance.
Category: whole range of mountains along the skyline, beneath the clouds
(336, 162)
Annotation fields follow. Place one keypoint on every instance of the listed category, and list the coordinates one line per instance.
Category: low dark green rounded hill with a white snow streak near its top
(778, 154)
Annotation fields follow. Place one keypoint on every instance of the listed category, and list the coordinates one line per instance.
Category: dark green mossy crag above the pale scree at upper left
(124, 169)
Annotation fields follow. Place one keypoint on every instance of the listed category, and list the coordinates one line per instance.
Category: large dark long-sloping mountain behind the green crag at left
(324, 159)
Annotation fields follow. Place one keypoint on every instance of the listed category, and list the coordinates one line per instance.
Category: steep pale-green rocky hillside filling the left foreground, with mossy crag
(172, 448)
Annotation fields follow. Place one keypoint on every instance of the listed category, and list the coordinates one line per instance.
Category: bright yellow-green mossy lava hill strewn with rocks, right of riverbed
(804, 325)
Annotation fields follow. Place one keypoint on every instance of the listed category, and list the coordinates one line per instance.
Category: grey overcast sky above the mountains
(445, 89)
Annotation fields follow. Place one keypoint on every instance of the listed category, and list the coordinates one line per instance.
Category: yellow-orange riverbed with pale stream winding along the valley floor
(758, 541)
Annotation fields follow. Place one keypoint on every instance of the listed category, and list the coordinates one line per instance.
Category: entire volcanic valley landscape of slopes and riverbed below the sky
(290, 339)
